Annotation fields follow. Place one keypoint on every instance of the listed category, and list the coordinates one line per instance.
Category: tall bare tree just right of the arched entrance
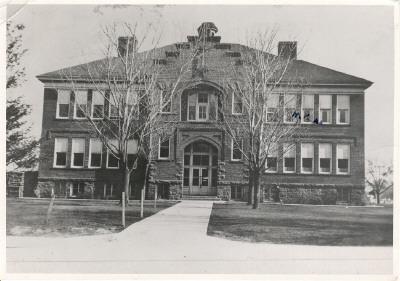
(264, 113)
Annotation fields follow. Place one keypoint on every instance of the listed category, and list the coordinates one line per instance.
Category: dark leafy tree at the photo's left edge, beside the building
(21, 148)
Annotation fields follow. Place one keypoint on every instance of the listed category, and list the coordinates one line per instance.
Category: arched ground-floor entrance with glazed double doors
(200, 169)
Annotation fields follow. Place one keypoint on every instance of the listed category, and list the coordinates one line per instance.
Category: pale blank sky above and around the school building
(357, 40)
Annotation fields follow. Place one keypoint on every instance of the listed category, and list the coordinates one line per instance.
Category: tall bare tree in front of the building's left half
(136, 87)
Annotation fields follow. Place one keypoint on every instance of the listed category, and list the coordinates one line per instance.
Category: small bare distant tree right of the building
(379, 179)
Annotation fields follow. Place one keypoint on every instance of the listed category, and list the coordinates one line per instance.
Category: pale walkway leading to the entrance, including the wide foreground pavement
(175, 241)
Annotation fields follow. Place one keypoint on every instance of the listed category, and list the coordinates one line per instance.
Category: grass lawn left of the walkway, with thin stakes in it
(72, 217)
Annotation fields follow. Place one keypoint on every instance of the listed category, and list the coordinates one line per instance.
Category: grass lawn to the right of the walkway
(303, 224)
